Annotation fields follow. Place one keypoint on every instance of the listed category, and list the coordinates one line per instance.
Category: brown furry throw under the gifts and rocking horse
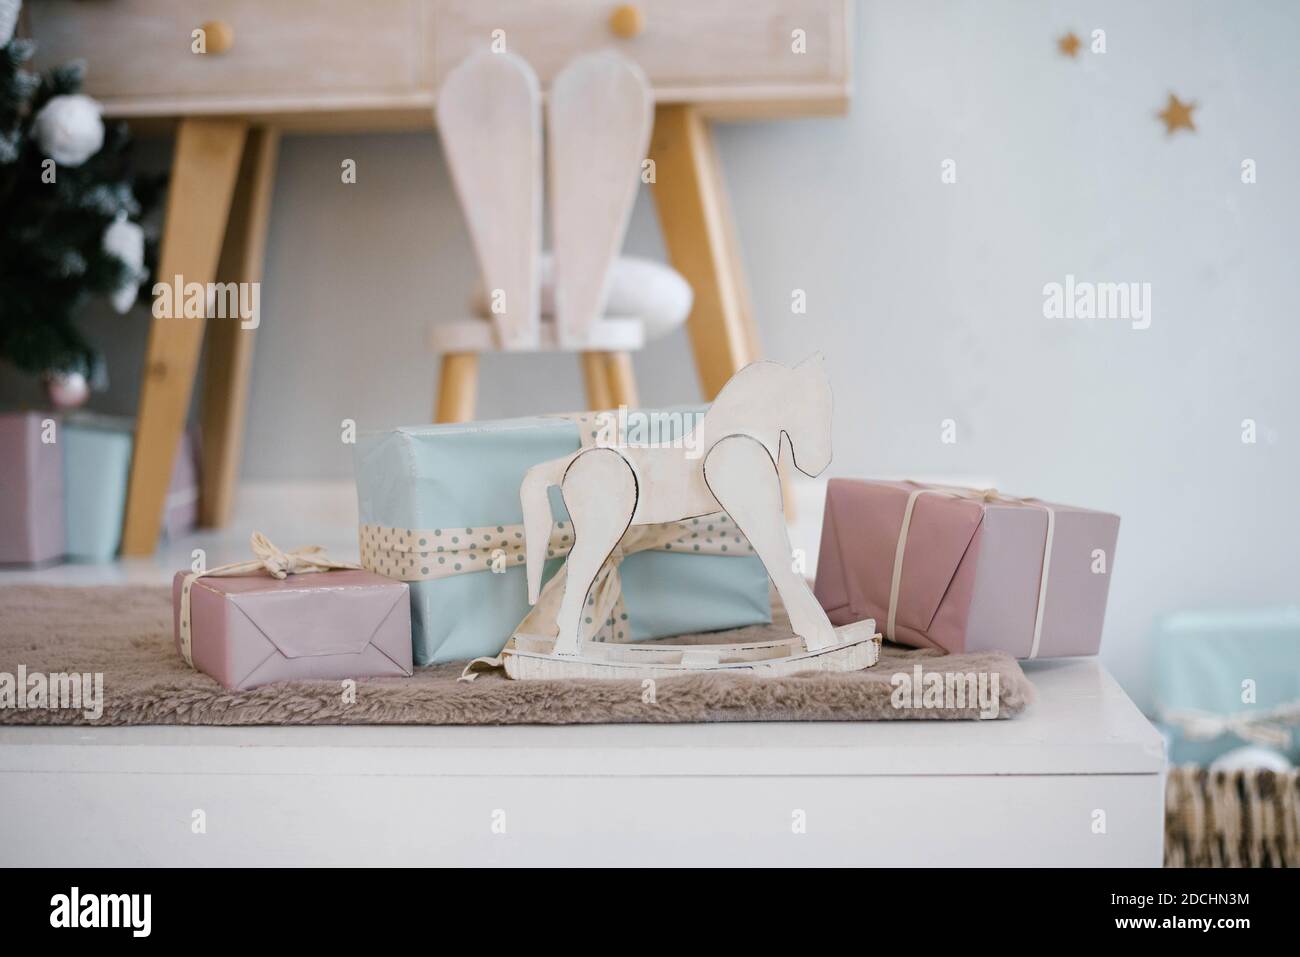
(125, 633)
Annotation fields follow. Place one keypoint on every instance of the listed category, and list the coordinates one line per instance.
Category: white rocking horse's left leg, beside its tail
(601, 495)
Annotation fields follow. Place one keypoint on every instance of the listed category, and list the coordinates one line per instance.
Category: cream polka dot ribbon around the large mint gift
(430, 555)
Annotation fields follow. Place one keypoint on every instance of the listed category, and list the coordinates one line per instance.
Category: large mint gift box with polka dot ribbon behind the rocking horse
(440, 509)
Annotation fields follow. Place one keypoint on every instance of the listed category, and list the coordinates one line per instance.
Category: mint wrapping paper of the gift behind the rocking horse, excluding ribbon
(467, 477)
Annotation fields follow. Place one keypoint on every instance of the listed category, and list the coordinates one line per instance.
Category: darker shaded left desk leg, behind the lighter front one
(229, 352)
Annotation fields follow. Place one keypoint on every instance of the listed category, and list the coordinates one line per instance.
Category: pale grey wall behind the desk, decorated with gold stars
(926, 297)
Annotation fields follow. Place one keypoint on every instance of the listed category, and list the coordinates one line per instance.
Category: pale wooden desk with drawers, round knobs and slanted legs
(349, 66)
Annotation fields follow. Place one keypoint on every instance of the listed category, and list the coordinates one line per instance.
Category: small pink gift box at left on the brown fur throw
(253, 630)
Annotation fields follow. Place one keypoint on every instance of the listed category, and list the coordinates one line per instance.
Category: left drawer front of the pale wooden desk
(142, 49)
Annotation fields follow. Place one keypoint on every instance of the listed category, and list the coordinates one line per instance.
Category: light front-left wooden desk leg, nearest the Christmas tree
(203, 183)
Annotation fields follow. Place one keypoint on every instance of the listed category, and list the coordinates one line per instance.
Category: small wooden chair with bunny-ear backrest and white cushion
(584, 296)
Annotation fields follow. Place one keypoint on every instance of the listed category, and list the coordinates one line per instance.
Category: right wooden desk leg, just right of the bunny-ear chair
(701, 240)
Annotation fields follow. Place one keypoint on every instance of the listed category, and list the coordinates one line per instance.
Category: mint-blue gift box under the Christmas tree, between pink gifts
(97, 465)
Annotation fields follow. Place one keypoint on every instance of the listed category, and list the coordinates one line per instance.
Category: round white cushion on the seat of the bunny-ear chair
(655, 292)
